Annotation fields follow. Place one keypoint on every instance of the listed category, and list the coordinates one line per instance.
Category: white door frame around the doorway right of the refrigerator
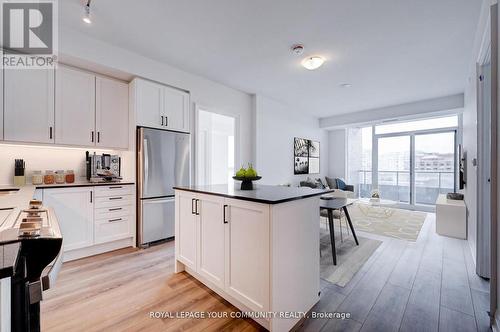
(201, 107)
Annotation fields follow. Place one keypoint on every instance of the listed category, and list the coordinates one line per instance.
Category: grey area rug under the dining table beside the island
(350, 257)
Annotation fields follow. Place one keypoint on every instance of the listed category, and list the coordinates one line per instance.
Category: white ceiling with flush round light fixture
(391, 51)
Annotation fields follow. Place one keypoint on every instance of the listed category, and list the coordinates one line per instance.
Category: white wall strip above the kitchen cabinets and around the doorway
(74, 45)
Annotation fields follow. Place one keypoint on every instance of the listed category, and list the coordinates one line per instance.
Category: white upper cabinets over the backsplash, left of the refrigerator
(68, 106)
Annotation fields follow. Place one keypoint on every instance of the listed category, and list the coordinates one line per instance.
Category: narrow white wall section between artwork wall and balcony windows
(337, 153)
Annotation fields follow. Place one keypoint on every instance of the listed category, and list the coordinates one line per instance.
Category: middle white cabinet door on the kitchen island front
(211, 239)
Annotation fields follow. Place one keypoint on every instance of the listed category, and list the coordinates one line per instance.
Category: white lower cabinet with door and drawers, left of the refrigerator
(92, 219)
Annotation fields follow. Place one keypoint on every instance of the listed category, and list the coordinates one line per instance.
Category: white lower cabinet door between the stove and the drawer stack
(74, 210)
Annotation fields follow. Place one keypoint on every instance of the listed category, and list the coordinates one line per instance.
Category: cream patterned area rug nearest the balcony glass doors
(396, 223)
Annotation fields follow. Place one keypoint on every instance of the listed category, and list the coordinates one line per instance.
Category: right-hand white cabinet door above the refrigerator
(176, 109)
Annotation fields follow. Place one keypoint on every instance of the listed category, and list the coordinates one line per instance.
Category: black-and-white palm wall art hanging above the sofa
(306, 156)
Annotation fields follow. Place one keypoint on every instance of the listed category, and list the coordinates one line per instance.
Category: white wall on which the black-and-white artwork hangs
(275, 128)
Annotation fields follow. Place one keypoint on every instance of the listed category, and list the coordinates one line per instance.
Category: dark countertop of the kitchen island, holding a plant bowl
(261, 193)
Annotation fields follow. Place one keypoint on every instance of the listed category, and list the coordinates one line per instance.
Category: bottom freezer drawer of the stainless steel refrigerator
(158, 219)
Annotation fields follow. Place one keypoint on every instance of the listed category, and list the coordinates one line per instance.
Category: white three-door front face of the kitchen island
(226, 242)
